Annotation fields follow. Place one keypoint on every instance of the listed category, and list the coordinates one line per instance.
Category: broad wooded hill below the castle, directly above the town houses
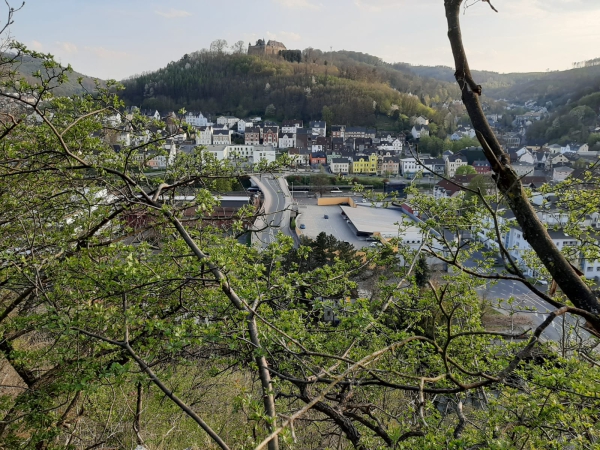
(337, 86)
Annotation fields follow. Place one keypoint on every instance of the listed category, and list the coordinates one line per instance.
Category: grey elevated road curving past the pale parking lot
(277, 205)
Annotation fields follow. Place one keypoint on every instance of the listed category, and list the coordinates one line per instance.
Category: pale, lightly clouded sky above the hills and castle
(118, 39)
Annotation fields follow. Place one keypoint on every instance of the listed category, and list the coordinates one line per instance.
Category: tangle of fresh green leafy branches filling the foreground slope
(127, 318)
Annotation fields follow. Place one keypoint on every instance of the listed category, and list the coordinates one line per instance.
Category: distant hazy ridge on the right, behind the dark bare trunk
(559, 87)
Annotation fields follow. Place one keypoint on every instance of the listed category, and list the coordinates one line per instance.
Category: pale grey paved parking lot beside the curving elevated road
(313, 217)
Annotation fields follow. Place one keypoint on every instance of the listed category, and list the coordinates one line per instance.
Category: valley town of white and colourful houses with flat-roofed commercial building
(352, 152)
